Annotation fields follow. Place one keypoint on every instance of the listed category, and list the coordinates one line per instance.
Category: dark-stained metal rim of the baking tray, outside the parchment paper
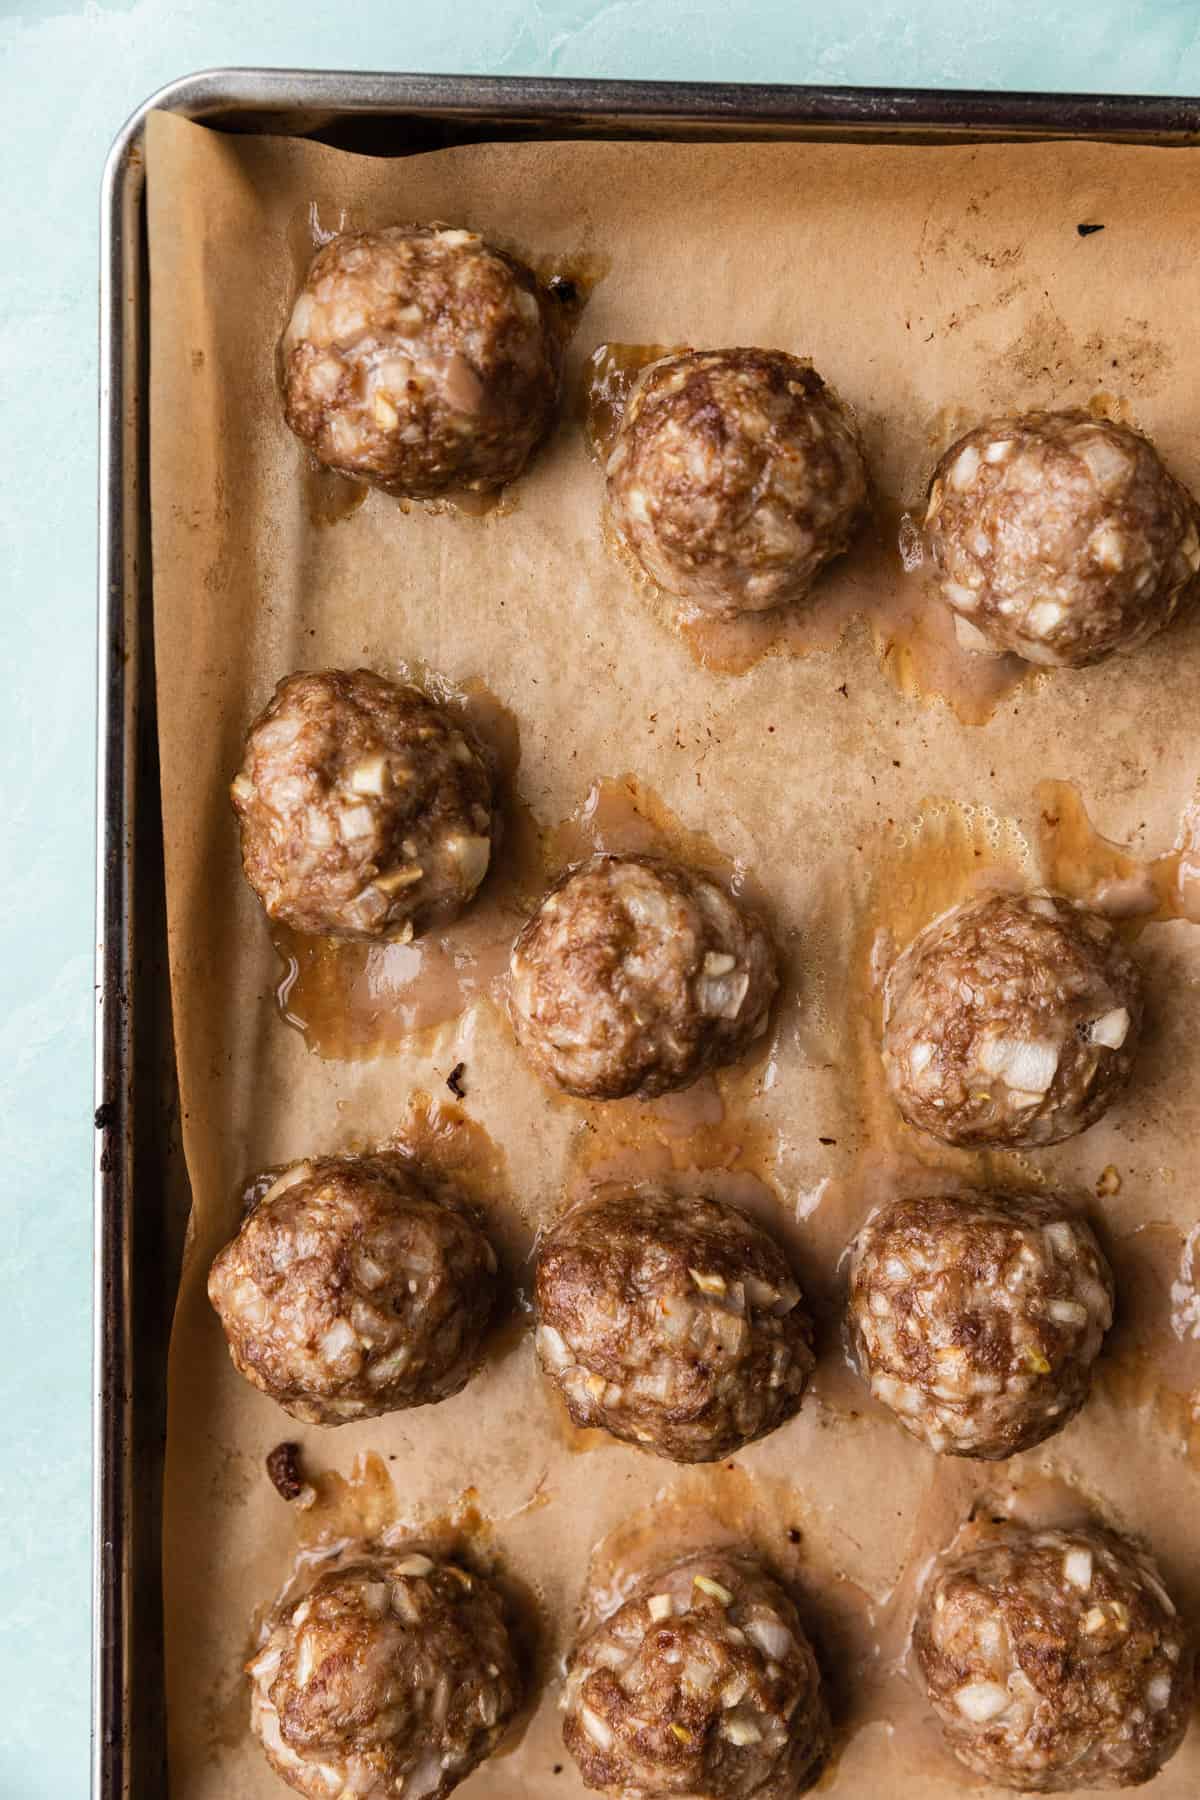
(382, 114)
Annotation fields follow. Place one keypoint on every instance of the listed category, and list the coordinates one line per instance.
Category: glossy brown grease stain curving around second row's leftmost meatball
(352, 1000)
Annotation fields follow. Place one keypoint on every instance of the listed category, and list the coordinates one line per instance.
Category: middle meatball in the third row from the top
(672, 1322)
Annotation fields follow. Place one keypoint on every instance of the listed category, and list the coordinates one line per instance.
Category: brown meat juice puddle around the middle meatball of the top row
(882, 579)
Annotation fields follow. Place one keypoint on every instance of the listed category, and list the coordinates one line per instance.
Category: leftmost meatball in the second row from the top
(368, 811)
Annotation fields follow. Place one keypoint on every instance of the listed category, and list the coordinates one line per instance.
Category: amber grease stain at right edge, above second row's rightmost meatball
(1107, 877)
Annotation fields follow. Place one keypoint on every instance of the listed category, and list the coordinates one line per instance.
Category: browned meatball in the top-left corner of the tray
(420, 359)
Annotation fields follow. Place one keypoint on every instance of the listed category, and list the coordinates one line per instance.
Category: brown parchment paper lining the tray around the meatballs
(929, 285)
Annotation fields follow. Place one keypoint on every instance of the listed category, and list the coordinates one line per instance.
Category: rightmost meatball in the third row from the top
(978, 1318)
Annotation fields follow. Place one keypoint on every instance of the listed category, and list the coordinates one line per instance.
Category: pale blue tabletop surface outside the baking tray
(69, 76)
